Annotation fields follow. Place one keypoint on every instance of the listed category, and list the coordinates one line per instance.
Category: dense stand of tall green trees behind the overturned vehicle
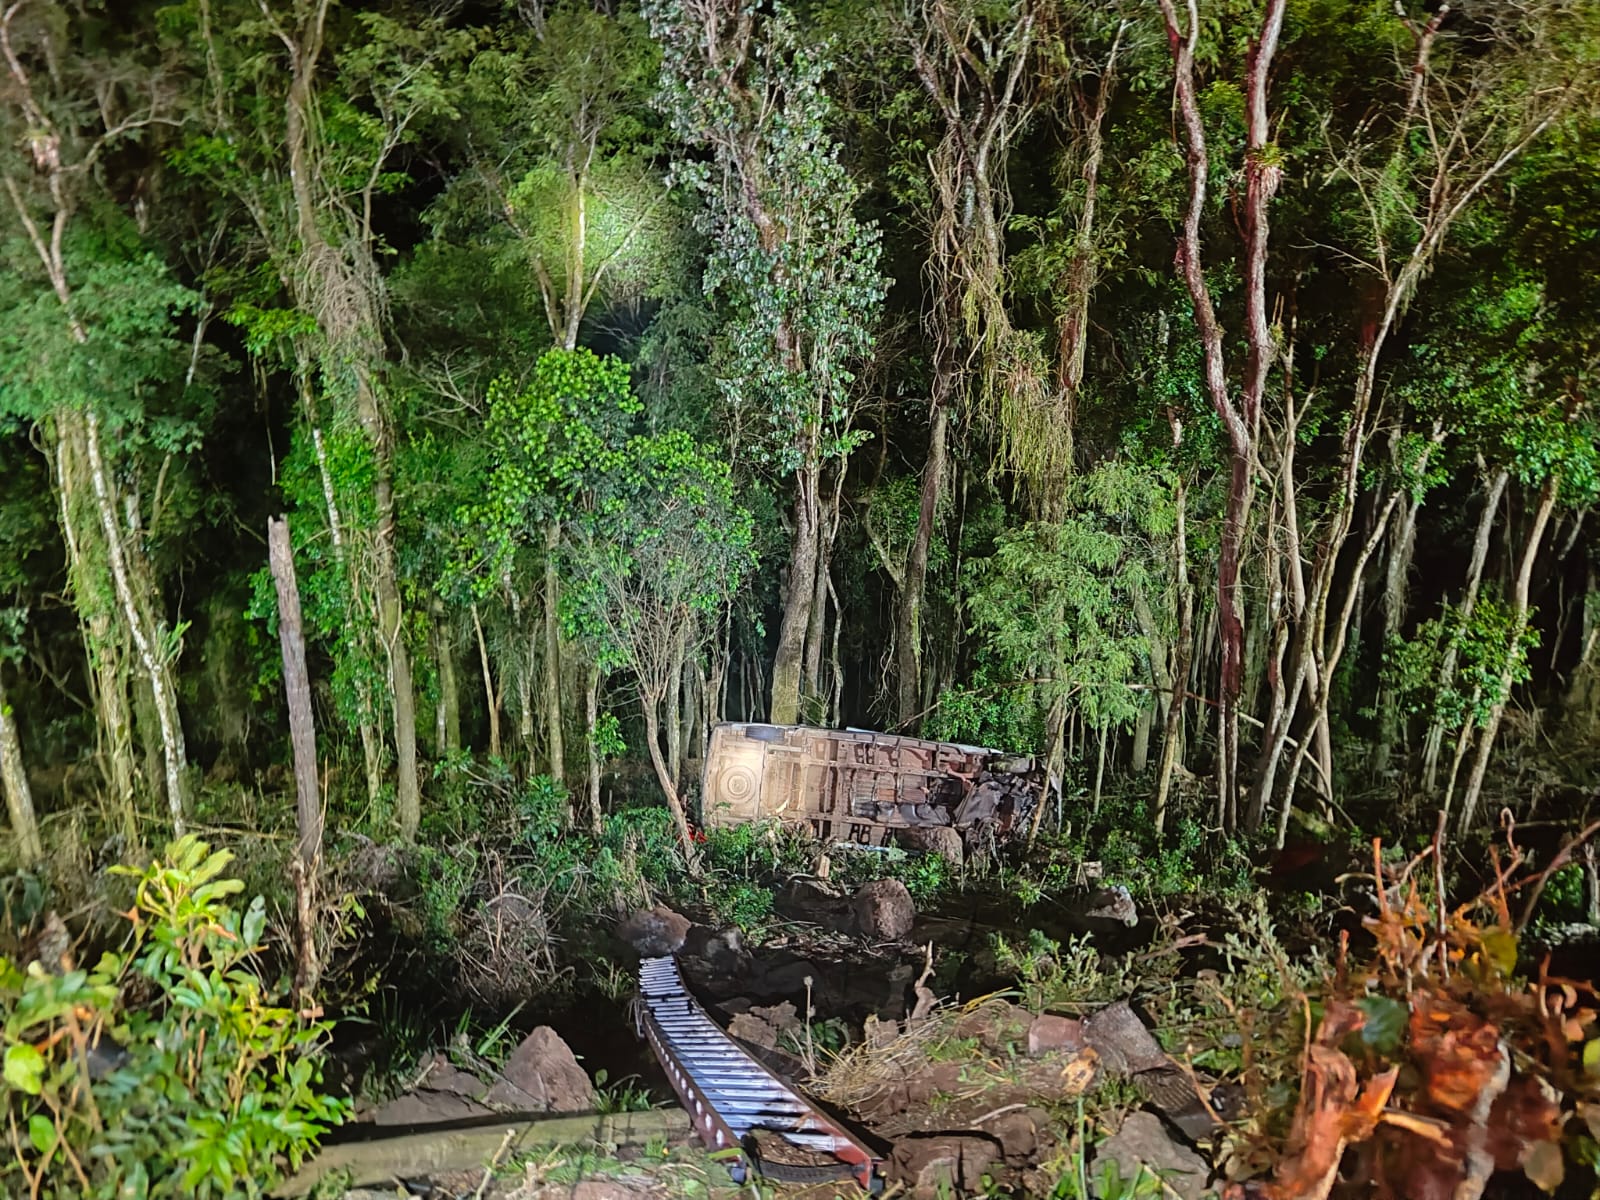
(1193, 394)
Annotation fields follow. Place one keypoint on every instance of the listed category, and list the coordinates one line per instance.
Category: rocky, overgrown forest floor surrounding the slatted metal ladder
(1185, 1018)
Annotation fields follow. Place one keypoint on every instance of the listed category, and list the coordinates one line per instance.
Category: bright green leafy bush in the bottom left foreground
(196, 1094)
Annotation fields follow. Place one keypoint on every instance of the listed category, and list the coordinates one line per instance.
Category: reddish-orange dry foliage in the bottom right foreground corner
(1434, 1065)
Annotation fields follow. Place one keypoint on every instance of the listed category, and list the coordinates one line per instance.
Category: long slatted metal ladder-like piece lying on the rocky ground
(734, 1102)
